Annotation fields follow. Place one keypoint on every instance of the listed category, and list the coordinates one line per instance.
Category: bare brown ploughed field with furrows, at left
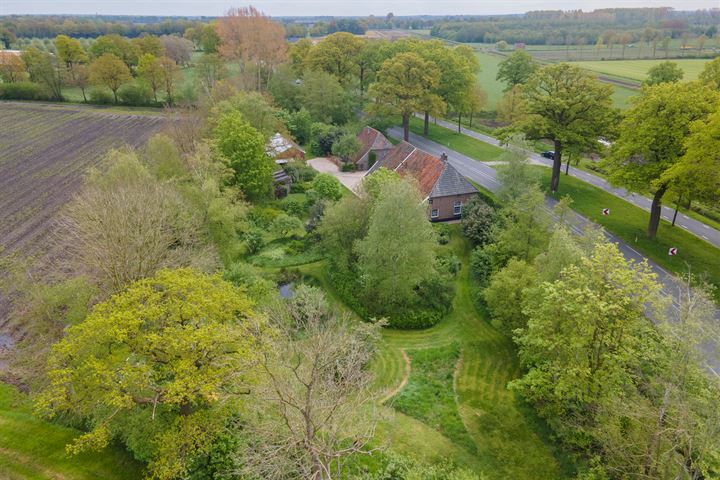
(44, 151)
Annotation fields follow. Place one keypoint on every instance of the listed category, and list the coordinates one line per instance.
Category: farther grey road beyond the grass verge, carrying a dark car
(693, 226)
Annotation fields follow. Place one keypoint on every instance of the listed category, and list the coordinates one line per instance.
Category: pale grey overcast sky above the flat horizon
(329, 7)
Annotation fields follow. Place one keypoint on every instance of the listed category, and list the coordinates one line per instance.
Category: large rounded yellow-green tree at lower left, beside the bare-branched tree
(150, 364)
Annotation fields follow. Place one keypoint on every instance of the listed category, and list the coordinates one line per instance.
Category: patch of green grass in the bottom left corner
(31, 449)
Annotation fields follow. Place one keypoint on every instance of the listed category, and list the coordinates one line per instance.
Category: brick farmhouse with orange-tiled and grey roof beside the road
(444, 189)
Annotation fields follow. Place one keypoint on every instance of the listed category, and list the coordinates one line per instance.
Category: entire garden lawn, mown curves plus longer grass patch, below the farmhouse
(455, 403)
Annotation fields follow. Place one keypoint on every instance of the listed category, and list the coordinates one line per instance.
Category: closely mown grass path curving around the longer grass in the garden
(509, 440)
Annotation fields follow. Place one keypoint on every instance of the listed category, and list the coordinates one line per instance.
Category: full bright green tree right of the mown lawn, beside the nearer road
(582, 344)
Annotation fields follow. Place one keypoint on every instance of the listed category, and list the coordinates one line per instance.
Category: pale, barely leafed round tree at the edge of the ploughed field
(125, 225)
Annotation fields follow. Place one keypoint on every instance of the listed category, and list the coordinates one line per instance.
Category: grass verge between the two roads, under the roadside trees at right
(629, 223)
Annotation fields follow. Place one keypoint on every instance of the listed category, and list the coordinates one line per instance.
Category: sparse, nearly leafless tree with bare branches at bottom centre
(318, 407)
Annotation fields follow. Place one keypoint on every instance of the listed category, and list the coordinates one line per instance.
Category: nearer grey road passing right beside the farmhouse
(486, 176)
